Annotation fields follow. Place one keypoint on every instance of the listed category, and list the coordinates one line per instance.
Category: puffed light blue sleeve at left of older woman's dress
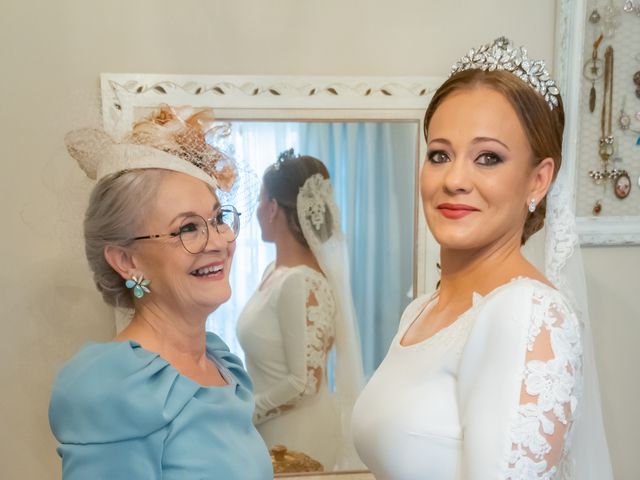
(104, 428)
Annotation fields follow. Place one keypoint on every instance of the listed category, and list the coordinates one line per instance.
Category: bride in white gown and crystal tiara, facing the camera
(484, 379)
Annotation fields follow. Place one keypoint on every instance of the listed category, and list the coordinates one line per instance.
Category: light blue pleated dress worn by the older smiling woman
(122, 412)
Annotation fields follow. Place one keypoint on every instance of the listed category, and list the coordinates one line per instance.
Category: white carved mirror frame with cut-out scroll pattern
(288, 98)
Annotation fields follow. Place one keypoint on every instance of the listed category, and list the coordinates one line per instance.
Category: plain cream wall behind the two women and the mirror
(52, 54)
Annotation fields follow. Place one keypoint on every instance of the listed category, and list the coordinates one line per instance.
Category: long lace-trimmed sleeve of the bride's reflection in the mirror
(306, 312)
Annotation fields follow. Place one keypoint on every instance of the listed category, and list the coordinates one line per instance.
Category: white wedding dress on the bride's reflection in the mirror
(286, 330)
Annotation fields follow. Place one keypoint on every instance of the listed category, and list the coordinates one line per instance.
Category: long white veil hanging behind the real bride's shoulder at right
(564, 268)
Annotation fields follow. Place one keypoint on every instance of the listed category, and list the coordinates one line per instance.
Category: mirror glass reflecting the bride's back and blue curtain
(297, 327)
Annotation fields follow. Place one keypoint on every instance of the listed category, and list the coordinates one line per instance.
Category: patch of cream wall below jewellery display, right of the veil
(614, 290)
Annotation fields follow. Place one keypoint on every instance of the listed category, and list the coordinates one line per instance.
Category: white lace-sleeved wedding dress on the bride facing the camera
(492, 396)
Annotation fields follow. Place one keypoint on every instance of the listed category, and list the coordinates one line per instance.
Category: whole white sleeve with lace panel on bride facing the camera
(518, 385)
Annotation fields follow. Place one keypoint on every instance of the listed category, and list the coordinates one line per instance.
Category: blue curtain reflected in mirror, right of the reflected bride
(372, 165)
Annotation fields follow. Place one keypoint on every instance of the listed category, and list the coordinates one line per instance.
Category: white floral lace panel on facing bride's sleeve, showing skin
(549, 391)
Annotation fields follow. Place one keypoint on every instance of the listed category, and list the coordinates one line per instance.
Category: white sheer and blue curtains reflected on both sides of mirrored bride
(372, 166)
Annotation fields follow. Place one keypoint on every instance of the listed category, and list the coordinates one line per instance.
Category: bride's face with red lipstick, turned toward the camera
(479, 172)
